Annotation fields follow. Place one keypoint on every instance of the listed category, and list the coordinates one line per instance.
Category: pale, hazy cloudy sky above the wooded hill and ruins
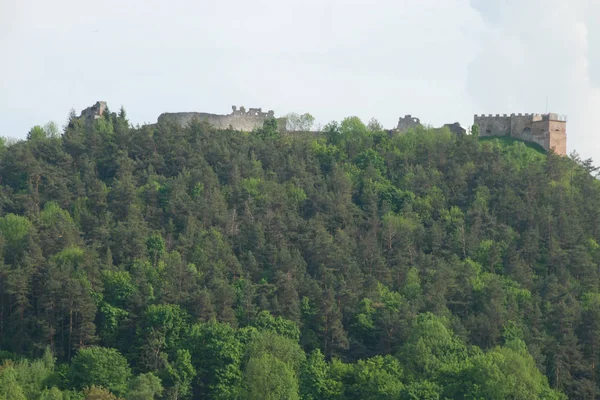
(440, 60)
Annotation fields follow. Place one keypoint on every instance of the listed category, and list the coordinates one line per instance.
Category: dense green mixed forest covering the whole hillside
(161, 262)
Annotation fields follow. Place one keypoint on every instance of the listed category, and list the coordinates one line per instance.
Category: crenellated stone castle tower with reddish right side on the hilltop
(547, 130)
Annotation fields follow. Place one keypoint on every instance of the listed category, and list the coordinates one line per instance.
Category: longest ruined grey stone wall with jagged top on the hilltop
(239, 119)
